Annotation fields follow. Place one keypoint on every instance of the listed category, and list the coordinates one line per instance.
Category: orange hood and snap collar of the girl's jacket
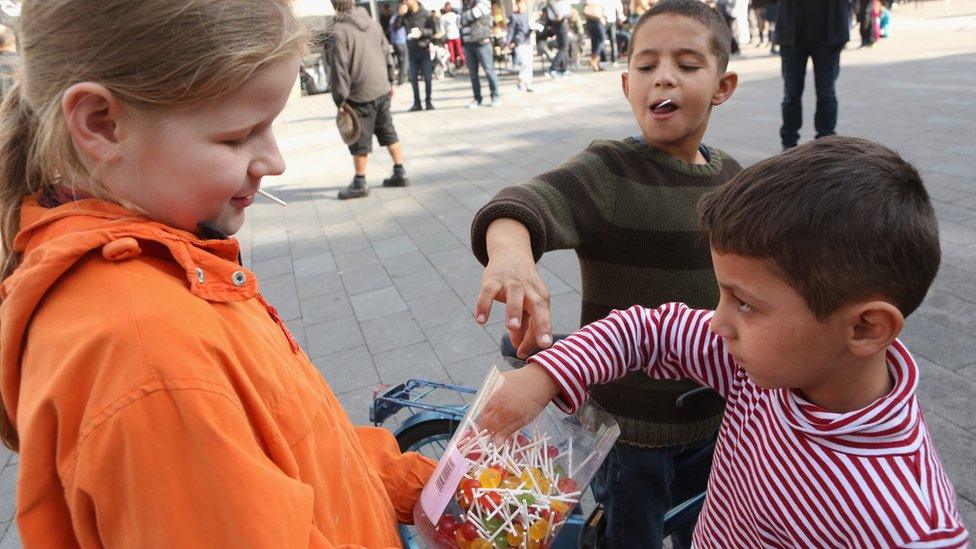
(52, 240)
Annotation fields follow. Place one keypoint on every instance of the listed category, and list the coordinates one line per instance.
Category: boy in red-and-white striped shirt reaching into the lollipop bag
(820, 254)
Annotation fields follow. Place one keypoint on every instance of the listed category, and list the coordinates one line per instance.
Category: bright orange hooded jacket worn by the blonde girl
(161, 402)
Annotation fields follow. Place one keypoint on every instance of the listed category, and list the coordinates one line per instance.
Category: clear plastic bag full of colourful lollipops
(517, 494)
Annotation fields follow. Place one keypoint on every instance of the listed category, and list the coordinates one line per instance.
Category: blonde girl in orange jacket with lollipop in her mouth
(156, 398)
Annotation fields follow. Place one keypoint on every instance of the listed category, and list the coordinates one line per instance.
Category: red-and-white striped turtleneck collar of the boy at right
(890, 425)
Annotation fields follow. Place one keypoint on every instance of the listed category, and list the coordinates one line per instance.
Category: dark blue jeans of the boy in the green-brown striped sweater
(637, 486)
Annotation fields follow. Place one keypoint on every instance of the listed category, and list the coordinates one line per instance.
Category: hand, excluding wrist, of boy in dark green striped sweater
(515, 282)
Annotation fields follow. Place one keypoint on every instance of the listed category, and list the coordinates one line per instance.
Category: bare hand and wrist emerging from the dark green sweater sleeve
(512, 278)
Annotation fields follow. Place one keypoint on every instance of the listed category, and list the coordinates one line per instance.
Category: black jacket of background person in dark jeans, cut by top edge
(834, 31)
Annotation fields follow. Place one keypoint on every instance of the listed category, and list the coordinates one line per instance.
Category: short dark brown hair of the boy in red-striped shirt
(843, 219)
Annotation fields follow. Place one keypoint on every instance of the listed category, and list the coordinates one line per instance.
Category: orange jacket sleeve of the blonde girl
(182, 468)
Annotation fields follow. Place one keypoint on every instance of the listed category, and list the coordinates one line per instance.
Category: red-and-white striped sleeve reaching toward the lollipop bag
(670, 342)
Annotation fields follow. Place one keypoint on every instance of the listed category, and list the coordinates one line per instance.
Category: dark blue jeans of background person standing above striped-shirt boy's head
(826, 67)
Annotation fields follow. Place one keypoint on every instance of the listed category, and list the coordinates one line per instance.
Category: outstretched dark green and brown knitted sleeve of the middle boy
(561, 208)
